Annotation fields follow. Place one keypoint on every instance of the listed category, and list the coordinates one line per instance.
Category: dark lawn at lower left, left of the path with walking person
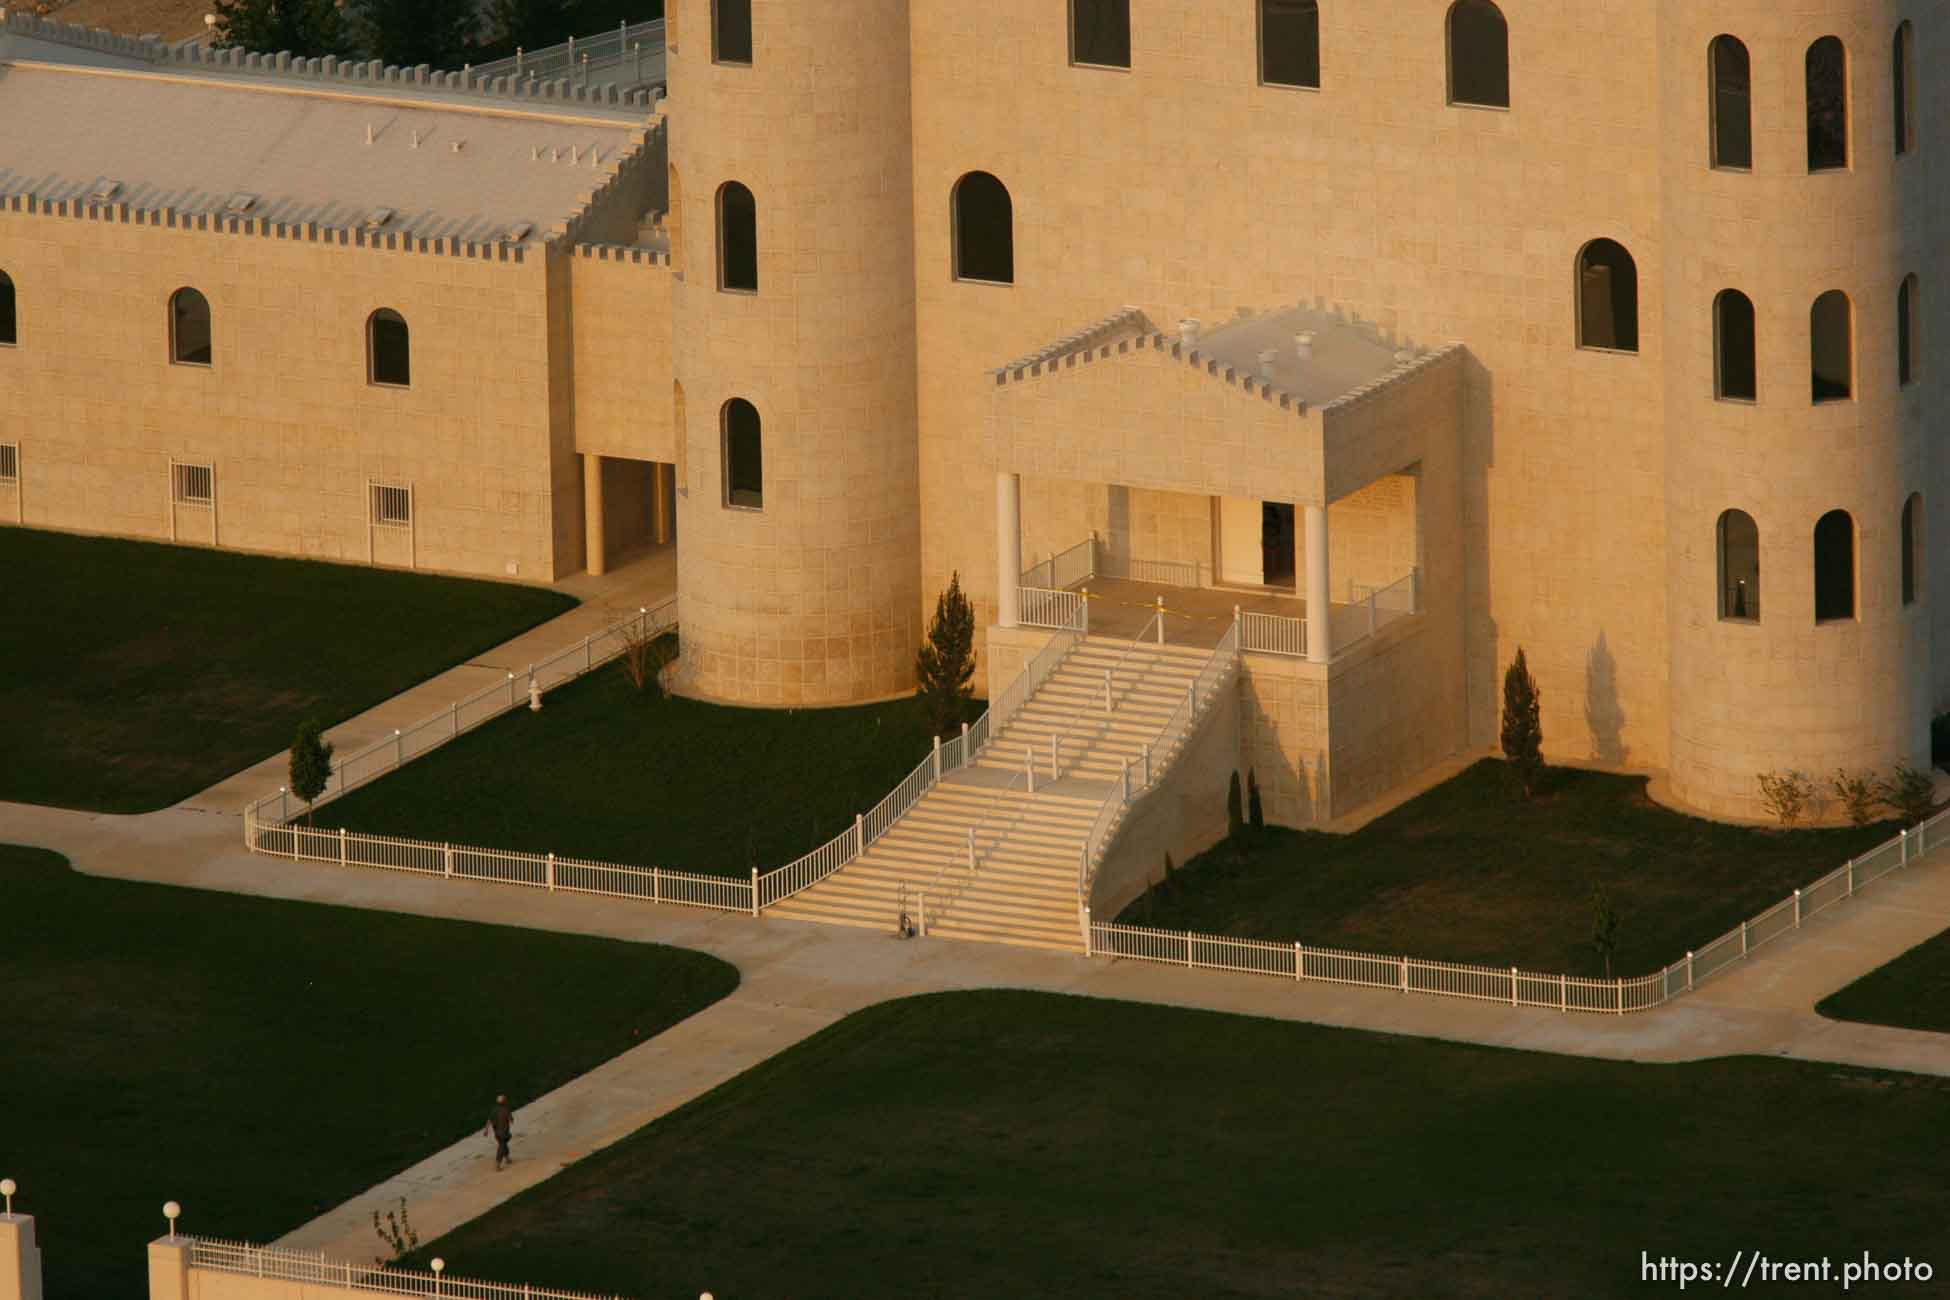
(264, 1061)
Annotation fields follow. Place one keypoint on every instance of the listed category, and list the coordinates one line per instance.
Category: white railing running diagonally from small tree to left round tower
(469, 712)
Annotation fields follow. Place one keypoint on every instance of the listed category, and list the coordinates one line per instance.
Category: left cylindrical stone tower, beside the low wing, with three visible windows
(795, 348)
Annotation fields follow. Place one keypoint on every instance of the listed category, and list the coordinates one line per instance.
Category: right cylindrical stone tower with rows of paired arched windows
(1799, 473)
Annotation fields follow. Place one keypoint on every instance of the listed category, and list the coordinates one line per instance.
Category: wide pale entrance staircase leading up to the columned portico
(1023, 888)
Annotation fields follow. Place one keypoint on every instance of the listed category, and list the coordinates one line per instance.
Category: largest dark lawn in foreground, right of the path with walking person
(1029, 1145)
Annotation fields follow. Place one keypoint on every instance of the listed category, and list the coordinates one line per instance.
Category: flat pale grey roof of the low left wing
(303, 151)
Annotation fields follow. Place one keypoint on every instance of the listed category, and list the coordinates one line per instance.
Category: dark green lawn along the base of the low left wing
(155, 671)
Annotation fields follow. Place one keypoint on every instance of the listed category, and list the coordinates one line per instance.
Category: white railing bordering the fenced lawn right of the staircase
(1563, 993)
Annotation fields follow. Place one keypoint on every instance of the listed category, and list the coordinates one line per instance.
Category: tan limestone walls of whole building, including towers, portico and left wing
(1543, 494)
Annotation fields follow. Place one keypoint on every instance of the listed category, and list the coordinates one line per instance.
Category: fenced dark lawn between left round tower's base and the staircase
(623, 777)
